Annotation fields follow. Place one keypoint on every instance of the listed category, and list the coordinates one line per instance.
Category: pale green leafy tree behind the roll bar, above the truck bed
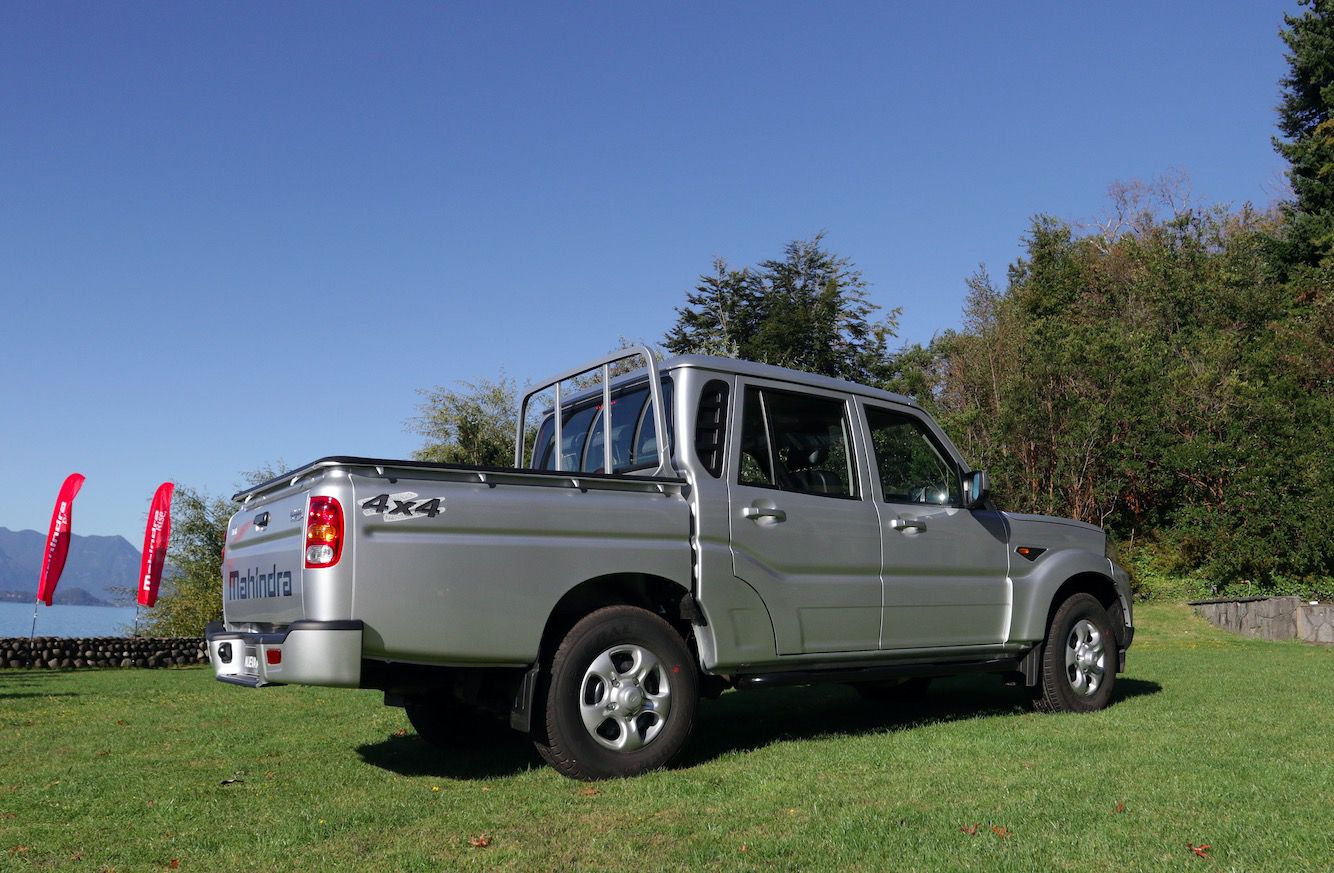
(473, 424)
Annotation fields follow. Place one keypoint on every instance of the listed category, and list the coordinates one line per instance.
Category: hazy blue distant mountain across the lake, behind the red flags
(97, 567)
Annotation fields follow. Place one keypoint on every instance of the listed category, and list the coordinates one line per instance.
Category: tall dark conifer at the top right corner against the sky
(1307, 121)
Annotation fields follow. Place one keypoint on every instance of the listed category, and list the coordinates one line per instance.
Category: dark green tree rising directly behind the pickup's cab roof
(808, 310)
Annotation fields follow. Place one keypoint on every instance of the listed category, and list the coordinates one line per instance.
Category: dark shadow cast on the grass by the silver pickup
(742, 721)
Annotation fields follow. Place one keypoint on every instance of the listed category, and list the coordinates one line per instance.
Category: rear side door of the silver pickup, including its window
(804, 533)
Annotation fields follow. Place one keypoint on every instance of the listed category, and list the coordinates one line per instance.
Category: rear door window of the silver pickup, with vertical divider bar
(796, 443)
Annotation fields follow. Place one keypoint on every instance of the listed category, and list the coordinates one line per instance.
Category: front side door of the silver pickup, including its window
(945, 567)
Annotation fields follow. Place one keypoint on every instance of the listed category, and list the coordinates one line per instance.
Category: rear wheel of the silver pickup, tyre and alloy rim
(621, 696)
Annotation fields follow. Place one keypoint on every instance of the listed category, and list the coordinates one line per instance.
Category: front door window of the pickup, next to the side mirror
(912, 468)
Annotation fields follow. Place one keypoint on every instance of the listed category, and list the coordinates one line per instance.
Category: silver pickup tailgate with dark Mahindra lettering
(262, 565)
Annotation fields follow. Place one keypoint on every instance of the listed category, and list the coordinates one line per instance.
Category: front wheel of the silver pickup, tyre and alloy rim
(1079, 659)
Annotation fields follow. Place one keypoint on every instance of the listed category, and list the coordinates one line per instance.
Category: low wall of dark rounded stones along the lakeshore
(102, 652)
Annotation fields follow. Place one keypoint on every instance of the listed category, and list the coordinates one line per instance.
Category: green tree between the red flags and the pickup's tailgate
(193, 591)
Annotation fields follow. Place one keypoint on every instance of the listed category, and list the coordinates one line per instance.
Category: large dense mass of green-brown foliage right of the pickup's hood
(1161, 380)
